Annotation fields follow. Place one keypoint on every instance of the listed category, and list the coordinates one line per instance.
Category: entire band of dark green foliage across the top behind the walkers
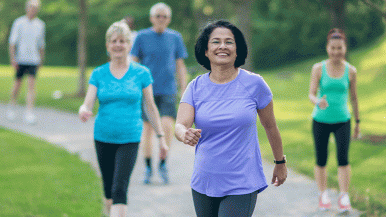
(283, 31)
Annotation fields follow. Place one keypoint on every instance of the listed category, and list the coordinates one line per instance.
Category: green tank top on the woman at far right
(336, 91)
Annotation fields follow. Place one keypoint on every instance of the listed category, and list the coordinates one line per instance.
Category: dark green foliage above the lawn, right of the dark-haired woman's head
(290, 31)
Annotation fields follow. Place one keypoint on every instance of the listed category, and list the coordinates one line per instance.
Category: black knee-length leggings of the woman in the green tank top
(322, 133)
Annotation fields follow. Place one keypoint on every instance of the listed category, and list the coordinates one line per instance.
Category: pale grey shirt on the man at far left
(28, 36)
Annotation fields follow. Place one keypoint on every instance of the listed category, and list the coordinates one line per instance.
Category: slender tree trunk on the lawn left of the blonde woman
(82, 54)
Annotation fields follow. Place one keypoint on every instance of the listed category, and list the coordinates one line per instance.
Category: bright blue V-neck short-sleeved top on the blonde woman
(119, 117)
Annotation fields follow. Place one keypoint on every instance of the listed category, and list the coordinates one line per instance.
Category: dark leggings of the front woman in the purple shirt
(227, 206)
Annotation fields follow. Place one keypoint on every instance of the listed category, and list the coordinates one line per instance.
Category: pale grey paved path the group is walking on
(297, 197)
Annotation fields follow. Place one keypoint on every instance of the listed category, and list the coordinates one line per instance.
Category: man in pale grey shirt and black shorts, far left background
(26, 52)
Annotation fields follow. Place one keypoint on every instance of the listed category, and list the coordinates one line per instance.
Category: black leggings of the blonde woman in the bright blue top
(116, 162)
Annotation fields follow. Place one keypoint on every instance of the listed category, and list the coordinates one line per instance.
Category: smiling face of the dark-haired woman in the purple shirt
(221, 47)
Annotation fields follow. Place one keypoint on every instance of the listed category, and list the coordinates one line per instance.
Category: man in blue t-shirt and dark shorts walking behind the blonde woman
(162, 50)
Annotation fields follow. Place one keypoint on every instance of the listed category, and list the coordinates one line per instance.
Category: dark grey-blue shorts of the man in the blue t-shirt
(166, 105)
